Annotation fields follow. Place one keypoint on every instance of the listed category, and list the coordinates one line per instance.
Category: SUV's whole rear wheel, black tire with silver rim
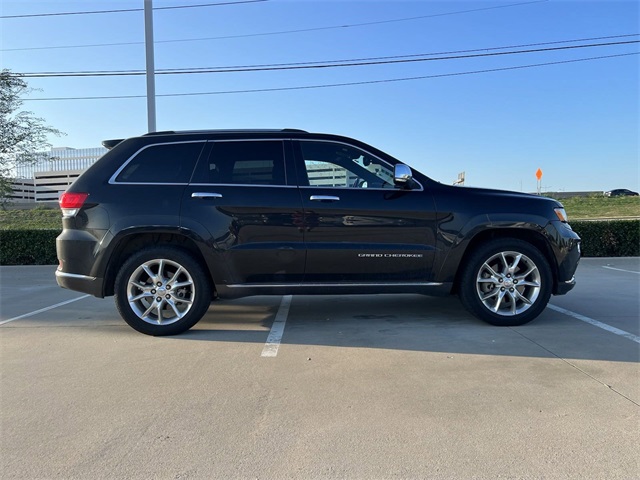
(146, 298)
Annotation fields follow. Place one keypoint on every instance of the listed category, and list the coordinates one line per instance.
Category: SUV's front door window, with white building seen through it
(337, 165)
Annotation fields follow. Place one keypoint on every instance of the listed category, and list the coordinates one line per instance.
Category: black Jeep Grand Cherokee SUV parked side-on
(168, 221)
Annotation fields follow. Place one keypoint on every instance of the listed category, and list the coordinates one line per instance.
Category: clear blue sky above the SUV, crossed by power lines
(578, 122)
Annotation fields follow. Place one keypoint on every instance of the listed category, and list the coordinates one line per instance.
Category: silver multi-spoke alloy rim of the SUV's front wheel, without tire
(508, 283)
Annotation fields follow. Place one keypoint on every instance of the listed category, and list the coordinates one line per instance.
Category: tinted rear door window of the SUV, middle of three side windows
(244, 163)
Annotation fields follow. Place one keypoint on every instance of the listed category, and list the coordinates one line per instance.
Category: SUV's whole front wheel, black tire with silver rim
(506, 282)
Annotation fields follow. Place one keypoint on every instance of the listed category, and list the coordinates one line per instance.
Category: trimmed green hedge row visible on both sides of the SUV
(615, 238)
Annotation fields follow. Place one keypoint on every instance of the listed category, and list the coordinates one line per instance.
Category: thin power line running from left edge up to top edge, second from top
(281, 32)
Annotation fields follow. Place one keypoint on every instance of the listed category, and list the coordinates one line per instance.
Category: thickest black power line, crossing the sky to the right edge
(312, 66)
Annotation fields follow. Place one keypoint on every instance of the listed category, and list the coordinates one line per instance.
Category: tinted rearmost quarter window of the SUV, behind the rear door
(163, 163)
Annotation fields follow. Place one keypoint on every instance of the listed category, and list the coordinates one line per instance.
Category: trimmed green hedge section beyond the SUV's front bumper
(614, 238)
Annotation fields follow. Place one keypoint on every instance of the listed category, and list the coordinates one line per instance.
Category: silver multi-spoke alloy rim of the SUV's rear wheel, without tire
(160, 291)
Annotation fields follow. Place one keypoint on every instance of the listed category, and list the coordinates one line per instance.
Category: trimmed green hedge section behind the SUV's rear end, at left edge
(28, 247)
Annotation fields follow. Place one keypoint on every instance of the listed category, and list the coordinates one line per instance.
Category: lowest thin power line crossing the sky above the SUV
(366, 82)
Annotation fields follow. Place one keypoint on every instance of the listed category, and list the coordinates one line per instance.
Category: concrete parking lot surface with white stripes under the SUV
(362, 387)
